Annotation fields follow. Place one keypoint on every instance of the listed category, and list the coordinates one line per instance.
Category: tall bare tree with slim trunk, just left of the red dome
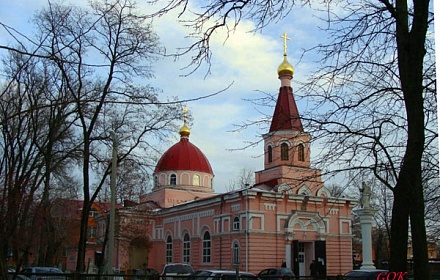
(122, 46)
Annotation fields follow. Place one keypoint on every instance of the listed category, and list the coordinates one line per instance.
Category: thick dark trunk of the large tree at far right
(409, 189)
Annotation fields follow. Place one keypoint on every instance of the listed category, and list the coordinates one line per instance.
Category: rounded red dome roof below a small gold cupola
(184, 156)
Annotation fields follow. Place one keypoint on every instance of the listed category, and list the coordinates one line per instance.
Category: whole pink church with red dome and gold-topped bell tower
(288, 217)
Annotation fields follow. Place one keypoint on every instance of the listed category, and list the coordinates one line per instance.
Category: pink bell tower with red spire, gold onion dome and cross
(286, 145)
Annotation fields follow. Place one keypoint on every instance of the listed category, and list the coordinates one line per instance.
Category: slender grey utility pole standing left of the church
(112, 203)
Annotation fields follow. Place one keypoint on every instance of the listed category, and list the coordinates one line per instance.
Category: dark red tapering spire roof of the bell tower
(286, 116)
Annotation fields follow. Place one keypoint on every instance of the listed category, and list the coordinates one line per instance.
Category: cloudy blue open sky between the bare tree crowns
(247, 60)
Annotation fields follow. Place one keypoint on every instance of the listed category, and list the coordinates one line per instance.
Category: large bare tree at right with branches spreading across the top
(374, 94)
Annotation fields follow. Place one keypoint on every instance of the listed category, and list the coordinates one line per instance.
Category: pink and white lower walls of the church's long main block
(269, 222)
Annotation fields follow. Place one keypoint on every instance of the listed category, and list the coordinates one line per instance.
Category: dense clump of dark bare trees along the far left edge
(33, 127)
